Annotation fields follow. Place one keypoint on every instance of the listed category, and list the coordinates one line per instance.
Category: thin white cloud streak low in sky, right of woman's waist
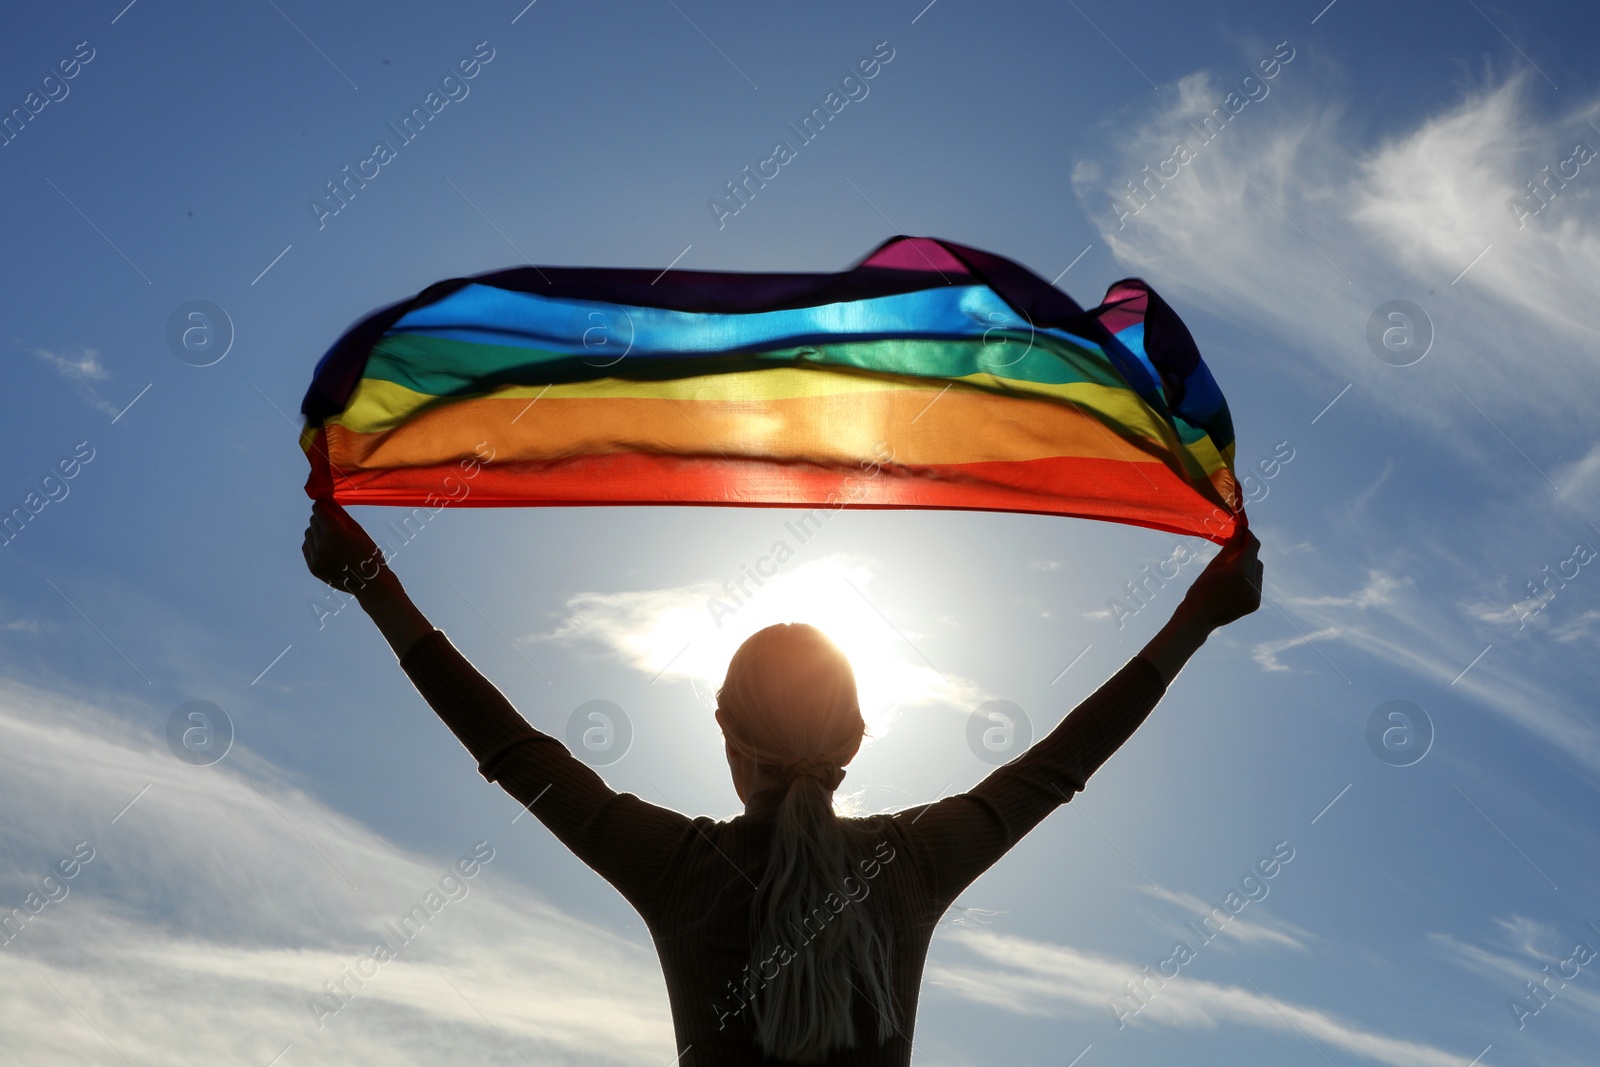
(1039, 978)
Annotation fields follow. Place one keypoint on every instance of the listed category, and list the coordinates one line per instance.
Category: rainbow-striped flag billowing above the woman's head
(932, 375)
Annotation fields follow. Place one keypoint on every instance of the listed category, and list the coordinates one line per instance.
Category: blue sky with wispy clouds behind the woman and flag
(1378, 164)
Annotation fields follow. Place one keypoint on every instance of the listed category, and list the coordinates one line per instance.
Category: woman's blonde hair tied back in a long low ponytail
(790, 701)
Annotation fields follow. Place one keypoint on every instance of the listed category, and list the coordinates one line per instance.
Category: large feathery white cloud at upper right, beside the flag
(1263, 223)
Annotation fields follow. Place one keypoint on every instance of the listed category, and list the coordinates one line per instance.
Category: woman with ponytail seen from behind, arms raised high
(786, 935)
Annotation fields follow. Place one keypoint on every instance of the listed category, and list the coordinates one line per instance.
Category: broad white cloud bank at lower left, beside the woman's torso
(217, 906)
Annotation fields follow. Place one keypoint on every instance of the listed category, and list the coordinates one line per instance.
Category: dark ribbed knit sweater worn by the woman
(694, 879)
